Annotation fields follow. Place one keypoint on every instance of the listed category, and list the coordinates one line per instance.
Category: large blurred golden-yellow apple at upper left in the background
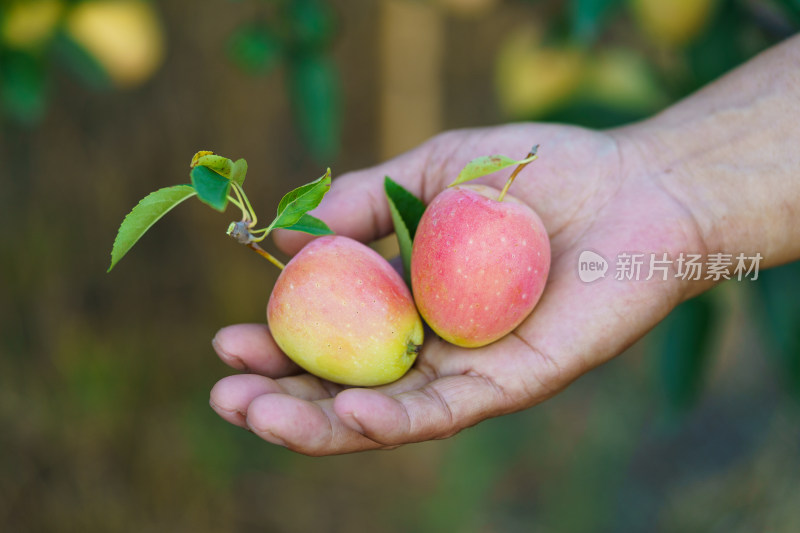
(125, 37)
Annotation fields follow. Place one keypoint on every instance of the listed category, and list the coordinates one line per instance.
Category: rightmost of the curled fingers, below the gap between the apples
(437, 410)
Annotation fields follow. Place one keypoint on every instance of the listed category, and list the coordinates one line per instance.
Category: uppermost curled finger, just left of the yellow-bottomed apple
(251, 348)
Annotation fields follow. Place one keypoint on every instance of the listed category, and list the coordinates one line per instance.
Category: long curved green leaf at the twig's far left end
(146, 213)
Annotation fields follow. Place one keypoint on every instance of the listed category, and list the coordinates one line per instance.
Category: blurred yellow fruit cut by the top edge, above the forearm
(672, 23)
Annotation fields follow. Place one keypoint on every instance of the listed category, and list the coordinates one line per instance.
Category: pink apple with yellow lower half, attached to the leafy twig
(340, 311)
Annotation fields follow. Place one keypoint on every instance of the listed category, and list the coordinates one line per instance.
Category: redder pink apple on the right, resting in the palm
(478, 265)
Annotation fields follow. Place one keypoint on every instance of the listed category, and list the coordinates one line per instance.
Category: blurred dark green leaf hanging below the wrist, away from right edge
(684, 351)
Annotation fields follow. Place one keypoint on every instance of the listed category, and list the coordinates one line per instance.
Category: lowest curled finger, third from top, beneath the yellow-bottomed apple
(311, 428)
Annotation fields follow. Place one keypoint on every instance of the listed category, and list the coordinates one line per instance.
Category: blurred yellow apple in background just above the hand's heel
(531, 79)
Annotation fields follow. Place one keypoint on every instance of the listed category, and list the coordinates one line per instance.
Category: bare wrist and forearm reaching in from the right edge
(728, 156)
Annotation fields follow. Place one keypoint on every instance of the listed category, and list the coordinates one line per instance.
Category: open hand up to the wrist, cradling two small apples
(591, 190)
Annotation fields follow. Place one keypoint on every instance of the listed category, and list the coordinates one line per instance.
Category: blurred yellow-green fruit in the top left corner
(28, 24)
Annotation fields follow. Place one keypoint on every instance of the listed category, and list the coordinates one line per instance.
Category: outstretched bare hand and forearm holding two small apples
(715, 173)
